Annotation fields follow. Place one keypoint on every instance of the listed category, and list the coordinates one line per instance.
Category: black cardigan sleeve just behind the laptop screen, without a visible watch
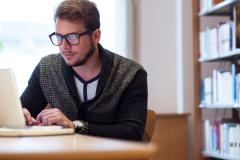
(32, 98)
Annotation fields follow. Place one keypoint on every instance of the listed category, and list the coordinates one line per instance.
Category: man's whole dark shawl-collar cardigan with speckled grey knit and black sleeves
(119, 108)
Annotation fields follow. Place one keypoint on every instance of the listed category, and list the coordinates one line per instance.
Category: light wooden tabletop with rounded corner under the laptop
(73, 147)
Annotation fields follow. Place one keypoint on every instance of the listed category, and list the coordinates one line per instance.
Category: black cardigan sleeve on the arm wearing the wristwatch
(132, 113)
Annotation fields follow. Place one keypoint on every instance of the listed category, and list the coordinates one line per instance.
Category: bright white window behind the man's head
(25, 26)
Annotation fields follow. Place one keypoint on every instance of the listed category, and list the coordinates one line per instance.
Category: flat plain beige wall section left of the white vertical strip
(157, 50)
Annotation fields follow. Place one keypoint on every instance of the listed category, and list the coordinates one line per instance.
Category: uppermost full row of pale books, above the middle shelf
(217, 41)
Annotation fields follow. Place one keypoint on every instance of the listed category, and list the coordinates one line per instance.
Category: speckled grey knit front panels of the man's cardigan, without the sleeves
(105, 108)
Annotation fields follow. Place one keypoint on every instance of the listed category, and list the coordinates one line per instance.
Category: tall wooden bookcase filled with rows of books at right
(216, 60)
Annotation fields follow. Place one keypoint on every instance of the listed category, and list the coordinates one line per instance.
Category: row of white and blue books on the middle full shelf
(223, 88)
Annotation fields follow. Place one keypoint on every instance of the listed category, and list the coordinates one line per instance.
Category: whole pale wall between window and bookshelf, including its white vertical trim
(165, 48)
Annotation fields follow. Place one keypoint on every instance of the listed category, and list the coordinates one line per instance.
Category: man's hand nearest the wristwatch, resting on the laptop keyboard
(53, 116)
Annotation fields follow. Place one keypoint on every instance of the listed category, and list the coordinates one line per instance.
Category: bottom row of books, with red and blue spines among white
(222, 137)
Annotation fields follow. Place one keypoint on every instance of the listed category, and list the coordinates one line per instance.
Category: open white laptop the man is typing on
(12, 121)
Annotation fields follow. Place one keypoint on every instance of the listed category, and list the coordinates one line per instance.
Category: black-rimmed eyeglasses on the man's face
(71, 39)
